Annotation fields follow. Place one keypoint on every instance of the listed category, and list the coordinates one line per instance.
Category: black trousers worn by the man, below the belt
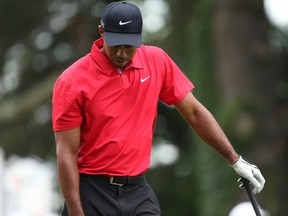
(99, 198)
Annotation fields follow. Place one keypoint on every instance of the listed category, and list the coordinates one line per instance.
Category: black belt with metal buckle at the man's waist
(119, 180)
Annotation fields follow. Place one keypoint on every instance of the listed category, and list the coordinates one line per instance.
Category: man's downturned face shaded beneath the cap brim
(120, 56)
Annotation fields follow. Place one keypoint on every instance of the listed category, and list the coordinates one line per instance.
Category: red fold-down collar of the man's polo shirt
(104, 63)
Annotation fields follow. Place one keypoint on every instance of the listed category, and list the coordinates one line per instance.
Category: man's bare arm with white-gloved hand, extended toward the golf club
(208, 129)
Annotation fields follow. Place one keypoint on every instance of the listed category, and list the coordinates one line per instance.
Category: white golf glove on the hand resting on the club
(249, 172)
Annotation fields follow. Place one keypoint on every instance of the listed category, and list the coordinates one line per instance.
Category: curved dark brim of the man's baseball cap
(116, 39)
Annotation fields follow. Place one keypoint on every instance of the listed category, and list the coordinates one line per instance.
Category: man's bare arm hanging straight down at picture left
(67, 145)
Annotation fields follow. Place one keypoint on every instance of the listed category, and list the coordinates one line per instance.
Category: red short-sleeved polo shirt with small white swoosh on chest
(116, 110)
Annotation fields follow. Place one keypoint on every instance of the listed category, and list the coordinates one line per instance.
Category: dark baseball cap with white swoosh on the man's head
(122, 23)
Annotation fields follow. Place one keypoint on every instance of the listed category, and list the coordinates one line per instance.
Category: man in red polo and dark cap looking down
(104, 113)
